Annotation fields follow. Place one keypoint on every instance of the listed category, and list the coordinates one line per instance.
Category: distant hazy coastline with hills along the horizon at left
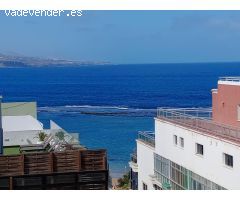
(23, 61)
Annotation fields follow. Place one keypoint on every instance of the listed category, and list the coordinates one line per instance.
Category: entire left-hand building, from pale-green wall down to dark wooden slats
(33, 157)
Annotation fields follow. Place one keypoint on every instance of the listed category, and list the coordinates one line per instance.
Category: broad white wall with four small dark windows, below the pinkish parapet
(210, 165)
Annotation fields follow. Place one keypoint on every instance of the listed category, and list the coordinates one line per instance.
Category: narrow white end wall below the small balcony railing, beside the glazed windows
(145, 164)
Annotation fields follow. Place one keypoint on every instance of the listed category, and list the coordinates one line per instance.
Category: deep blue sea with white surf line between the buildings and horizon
(109, 104)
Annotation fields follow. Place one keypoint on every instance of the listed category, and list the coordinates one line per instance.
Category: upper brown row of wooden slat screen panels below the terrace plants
(67, 161)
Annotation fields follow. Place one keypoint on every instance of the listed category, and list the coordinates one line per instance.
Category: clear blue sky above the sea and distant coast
(126, 36)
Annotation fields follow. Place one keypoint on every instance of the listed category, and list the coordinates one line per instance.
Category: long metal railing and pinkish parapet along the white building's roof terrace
(200, 120)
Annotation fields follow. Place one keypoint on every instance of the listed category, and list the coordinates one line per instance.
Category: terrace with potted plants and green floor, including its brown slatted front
(59, 162)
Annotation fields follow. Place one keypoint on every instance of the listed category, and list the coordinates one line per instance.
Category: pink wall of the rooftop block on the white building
(225, 101)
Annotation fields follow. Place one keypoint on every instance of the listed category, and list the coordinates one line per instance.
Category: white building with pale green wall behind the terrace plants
(21, 126)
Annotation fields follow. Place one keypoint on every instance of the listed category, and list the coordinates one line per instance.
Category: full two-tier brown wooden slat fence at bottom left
(75, 169)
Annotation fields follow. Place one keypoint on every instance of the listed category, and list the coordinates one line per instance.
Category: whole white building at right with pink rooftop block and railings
(193, 148)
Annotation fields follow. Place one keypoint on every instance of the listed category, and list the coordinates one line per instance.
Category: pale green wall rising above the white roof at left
(19, 108)
